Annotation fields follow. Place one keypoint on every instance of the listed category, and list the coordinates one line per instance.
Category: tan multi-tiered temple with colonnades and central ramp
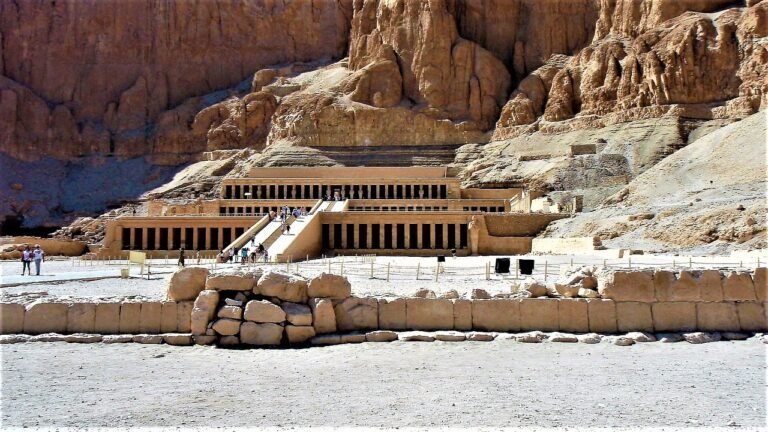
(418, 211)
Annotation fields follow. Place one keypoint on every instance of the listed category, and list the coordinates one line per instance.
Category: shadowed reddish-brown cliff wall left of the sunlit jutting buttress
(84, 77)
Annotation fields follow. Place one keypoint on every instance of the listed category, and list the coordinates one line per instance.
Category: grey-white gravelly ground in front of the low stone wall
(400, 384)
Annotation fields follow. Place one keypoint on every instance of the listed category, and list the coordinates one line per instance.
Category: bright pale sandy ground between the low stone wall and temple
(99, 280)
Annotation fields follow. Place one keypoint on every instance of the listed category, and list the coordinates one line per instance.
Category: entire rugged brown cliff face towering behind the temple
(517, 81)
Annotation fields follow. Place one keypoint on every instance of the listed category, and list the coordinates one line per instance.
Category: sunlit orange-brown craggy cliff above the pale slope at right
(702, 65)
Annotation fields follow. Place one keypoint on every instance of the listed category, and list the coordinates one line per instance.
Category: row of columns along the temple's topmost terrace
(317, 191)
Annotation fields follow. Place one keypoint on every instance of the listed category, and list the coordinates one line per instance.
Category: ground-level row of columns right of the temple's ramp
(394, 236)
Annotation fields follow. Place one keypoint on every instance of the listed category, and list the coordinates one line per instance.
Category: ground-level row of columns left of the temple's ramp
(191, 238)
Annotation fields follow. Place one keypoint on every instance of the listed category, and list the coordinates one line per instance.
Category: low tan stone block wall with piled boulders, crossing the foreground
(275, 308)
